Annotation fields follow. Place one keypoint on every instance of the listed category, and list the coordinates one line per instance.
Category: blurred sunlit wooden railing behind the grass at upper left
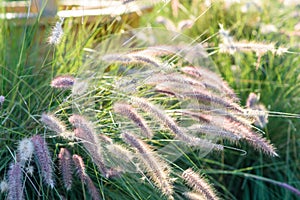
(92, 10)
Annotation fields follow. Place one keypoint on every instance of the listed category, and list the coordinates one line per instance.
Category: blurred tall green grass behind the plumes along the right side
(272, 77)
